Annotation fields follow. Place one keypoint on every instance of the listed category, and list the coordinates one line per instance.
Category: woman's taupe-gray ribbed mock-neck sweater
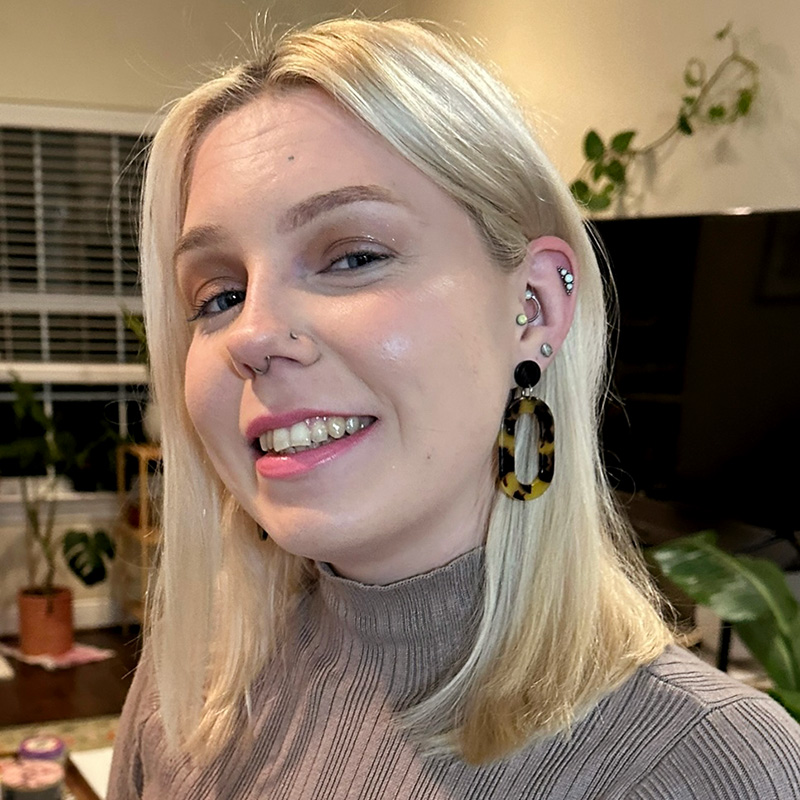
(324, 728)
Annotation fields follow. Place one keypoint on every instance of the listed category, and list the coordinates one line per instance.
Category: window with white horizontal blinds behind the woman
(69, 202)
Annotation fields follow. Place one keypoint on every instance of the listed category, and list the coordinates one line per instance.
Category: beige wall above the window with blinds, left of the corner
(133, 55)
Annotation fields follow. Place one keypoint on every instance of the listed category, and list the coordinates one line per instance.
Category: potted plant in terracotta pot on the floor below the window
(45, 609)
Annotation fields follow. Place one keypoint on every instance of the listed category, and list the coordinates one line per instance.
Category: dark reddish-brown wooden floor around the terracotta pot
(34, 695)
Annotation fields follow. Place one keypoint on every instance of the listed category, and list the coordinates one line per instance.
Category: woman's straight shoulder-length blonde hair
(568, 613)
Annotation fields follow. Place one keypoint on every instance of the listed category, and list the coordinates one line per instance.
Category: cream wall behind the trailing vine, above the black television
(618, 65)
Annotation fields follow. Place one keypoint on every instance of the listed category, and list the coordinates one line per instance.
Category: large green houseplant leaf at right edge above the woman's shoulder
(750, 593)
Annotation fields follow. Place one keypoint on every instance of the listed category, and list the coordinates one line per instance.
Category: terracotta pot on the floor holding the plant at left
(45, 621)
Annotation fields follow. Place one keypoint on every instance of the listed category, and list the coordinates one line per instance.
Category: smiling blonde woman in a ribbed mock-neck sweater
(371, 251)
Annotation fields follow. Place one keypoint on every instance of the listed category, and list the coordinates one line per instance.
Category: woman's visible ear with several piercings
(556, 295)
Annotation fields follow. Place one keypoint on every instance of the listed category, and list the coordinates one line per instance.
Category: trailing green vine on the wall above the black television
(719, 98)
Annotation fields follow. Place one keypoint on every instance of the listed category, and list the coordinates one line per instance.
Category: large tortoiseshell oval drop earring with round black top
(526, 376)
